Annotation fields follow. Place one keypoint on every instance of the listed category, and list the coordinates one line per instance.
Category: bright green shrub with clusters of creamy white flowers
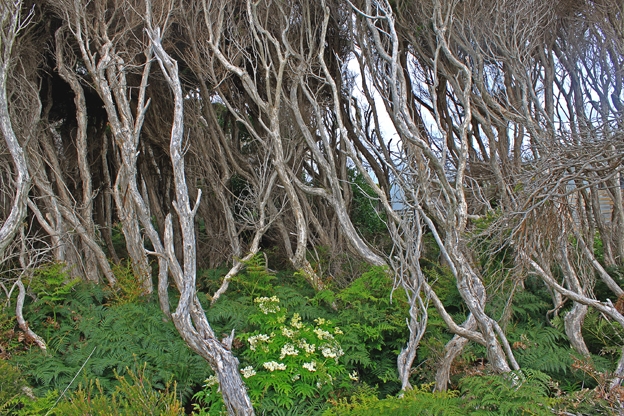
(289, 362)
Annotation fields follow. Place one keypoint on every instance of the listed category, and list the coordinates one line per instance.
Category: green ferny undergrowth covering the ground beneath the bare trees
(331, 352)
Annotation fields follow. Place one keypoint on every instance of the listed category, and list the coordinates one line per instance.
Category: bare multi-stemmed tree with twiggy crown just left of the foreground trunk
(109, 49)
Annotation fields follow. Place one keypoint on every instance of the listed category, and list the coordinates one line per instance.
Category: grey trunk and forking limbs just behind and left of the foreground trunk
(108, 71)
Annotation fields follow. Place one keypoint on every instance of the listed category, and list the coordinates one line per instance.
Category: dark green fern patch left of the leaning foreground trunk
(125, 335)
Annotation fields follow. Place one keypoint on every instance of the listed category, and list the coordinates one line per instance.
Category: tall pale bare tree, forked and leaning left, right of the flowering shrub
(441, 171)
